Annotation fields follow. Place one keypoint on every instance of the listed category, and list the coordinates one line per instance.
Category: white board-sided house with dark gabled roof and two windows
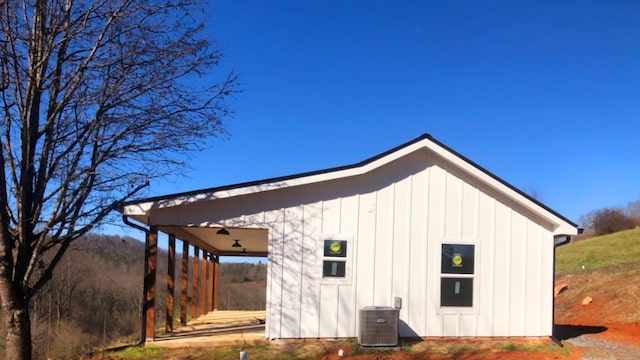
(467, 253)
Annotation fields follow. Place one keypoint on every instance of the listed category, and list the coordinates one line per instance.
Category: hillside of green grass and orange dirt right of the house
(610, 276)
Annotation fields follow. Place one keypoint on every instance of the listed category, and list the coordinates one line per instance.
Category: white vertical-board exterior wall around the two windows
(395, 220)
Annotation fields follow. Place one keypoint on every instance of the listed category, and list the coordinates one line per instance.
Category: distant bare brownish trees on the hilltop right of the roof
(611, 219)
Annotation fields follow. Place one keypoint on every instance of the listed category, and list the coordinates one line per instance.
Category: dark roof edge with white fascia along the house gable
(352, 166)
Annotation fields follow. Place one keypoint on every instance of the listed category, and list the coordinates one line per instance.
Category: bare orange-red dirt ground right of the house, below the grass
(607, 327)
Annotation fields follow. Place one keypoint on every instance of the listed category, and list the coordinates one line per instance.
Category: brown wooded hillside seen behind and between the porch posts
(94, 298)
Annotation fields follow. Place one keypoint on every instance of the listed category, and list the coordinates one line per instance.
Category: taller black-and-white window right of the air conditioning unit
(458, 270)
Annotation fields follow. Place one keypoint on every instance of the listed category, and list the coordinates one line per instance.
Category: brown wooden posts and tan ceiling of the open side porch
(207, 244)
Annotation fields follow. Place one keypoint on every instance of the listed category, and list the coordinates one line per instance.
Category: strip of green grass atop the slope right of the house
(599, 252)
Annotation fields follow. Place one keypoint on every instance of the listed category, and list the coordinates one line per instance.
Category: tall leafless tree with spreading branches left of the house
(97, 98)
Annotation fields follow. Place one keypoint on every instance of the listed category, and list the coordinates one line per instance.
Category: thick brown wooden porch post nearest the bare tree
(151, 255)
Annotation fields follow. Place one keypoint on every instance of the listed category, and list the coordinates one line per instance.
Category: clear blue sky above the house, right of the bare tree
(544, 94)
